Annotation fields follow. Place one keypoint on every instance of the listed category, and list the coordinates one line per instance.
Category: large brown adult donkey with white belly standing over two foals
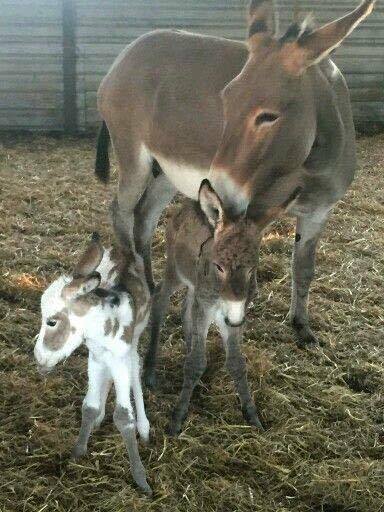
(258, 119)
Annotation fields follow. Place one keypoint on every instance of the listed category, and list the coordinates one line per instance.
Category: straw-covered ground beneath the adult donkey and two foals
(324, 408)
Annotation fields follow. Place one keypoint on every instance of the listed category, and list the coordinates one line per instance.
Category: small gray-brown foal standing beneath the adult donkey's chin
(215, 257)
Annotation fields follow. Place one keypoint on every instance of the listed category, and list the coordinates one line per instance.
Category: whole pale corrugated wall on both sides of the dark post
(31, 89)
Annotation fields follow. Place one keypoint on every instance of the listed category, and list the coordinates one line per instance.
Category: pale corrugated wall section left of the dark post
(31, 89)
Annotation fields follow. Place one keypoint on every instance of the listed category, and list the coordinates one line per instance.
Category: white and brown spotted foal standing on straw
(105, 304)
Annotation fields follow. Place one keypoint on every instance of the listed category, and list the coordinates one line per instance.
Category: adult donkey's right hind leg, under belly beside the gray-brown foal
(158, 195)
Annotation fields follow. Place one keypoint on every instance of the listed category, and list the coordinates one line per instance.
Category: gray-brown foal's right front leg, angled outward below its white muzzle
(235, 362)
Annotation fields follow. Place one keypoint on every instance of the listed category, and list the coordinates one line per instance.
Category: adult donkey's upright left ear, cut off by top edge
(262, 20)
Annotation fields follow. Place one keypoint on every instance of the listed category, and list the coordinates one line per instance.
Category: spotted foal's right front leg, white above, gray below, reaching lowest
(125, 421)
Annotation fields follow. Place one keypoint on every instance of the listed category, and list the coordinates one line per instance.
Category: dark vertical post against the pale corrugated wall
(69, 67)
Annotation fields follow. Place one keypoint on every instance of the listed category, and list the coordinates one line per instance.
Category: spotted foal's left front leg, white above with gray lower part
(94, 403)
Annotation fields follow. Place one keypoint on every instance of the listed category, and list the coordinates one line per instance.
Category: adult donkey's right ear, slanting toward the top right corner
(313, 46)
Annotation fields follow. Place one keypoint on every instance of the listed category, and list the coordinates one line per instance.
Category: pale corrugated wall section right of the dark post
(104, 31)
